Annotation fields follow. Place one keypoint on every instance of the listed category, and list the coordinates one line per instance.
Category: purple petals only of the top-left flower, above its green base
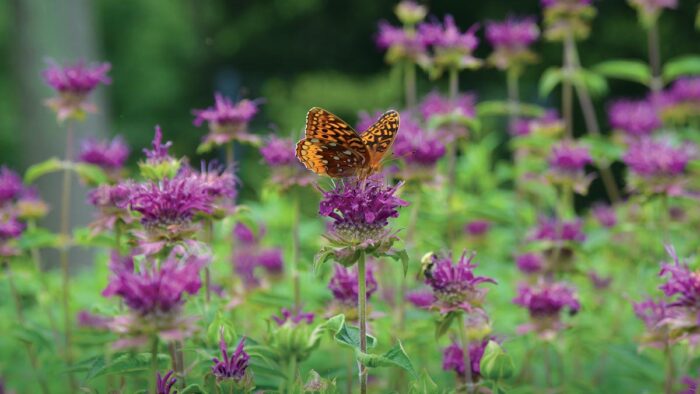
(79, 78)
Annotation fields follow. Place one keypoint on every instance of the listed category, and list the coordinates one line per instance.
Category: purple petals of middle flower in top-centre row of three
(448, 36)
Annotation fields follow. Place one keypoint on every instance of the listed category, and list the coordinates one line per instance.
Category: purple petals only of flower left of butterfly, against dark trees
(225, 112)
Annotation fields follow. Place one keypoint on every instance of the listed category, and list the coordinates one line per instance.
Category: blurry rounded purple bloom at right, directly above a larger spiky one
(635, 118)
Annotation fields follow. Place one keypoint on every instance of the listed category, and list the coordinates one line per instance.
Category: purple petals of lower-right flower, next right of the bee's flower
(547, 299)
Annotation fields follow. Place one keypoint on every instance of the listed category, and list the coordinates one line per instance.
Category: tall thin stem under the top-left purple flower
(64, 253)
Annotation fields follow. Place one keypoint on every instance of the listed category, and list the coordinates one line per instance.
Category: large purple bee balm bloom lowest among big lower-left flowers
(155, 290)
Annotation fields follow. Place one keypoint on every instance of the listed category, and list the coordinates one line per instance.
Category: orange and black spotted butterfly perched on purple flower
(332, 147)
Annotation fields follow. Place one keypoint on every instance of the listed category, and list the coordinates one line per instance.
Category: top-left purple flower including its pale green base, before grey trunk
(73, 84)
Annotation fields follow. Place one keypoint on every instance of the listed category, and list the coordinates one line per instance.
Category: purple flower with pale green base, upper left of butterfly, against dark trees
(227, 121)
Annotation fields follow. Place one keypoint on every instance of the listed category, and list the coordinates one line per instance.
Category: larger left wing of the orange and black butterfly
(331, 147)
